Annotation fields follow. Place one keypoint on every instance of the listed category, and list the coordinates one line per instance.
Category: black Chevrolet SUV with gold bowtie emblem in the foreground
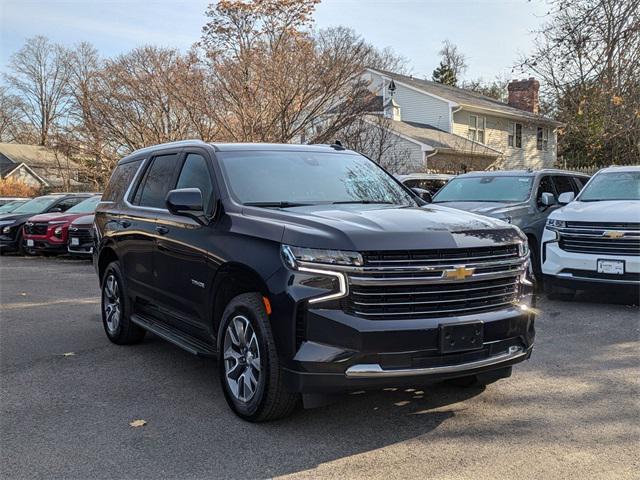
(306, 270)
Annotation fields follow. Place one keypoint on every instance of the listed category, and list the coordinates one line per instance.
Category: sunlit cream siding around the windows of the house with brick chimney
(497, 137)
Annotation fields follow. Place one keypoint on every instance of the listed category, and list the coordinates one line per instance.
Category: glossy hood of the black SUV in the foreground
(375, 227)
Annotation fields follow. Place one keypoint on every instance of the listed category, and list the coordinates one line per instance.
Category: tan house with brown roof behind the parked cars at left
(39, 167)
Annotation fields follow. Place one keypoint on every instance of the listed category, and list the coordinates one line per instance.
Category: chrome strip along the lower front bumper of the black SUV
(374, 370)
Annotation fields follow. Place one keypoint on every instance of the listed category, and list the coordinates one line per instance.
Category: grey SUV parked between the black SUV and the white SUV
(521, 197)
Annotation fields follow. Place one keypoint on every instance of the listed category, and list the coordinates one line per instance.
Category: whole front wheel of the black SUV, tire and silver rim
(250, 371)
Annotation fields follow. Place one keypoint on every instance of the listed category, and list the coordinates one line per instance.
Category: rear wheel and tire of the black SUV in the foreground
(116, 309)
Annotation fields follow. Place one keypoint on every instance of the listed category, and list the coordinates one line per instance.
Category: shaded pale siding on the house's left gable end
(414, 105)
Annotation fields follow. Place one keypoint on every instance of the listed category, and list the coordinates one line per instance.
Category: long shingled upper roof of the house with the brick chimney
(465, 98)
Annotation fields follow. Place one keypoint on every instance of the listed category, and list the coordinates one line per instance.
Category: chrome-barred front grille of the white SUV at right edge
(600, 238)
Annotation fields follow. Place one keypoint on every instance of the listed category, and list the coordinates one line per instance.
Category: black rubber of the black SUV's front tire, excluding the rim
(270, 399)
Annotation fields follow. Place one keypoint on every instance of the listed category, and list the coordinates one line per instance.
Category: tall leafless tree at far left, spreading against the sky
(39, 75)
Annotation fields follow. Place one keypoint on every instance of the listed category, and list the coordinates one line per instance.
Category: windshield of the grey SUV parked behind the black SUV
(485, 189)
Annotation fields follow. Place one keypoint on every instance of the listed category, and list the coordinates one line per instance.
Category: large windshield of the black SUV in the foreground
(293, 178)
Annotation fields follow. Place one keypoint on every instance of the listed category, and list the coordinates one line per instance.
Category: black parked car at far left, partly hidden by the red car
(11, 231)
